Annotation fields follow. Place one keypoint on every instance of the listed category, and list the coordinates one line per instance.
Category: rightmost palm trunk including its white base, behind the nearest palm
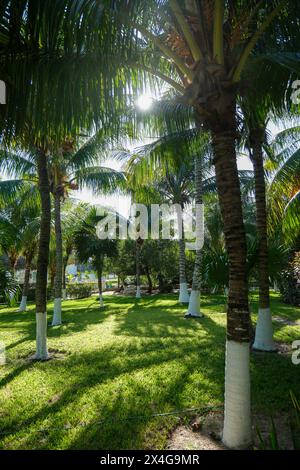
(264, 328)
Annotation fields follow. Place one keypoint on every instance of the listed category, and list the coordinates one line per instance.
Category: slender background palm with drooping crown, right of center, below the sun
(167, 164)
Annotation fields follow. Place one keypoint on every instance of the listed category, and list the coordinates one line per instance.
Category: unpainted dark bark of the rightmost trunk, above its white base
(256, 140)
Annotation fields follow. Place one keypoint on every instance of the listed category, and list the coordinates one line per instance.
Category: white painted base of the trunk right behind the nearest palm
(264, 331)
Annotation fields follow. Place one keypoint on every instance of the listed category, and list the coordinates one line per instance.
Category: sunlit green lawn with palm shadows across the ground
(121, 365)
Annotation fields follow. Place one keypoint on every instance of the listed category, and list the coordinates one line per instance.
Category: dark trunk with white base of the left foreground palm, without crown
(42, 261)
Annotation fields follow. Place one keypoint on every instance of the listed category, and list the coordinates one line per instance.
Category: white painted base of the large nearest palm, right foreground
(237, 414)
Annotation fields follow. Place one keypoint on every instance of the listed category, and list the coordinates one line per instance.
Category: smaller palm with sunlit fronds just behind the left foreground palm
(68, 170)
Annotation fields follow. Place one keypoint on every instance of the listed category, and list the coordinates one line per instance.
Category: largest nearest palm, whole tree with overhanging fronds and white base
(201, 50)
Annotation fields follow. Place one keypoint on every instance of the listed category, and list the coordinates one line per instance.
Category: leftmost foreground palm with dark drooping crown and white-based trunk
(36, 65)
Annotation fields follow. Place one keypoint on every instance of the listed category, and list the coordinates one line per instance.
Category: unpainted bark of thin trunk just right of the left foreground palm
(58, 247)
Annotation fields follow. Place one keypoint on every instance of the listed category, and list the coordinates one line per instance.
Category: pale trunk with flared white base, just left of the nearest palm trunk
(194, 302)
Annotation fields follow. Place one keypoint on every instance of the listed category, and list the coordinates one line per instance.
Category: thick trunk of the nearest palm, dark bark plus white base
(237, 416)
